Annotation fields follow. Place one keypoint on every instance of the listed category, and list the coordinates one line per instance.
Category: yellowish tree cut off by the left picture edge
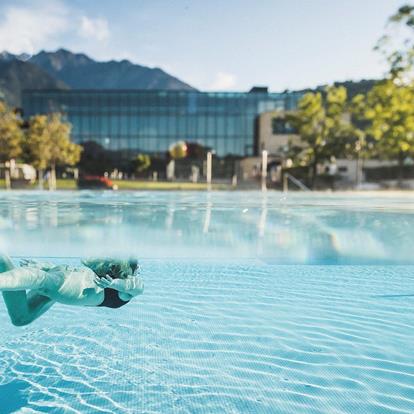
(10, 137)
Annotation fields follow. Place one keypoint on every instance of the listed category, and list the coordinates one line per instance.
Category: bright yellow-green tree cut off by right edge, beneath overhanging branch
(387, 113)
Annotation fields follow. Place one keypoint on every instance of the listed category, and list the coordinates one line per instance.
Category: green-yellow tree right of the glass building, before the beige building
(322, 124)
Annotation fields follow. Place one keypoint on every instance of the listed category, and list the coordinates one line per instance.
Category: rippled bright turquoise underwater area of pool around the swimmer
(223, 337)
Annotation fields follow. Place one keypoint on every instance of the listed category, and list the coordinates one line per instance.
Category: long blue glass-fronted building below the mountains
(150, 121)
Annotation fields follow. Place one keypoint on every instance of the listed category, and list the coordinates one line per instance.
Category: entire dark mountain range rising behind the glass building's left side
(64, 70)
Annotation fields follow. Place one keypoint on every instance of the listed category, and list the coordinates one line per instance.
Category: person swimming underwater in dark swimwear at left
(33, 288)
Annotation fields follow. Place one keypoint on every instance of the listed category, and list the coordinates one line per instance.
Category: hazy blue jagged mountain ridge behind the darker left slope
(81, 72)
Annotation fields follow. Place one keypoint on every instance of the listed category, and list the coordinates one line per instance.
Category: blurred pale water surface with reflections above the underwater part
(309, 228)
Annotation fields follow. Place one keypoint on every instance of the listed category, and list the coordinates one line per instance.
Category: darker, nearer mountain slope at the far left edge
(16, 75)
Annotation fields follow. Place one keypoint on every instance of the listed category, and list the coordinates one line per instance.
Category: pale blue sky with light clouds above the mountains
(214, 44)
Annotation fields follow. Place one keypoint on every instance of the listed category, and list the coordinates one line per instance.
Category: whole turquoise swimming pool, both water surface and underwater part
(253, 303)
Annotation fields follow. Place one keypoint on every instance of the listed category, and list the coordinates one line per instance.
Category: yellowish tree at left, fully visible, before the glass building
(48, 144)
